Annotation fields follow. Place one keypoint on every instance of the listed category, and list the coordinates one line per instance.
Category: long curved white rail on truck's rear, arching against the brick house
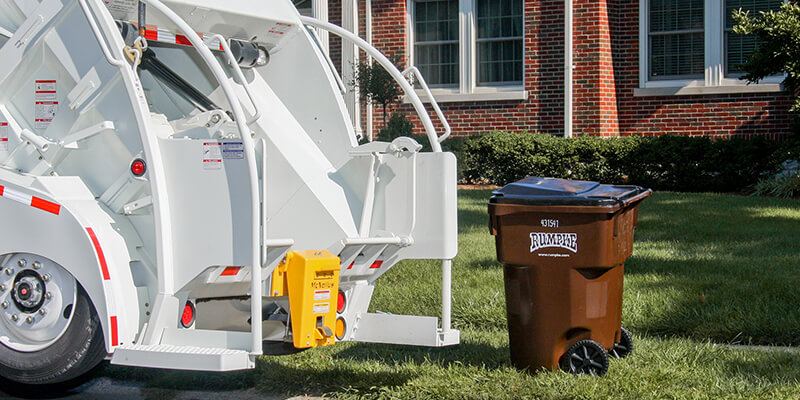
(398, 76)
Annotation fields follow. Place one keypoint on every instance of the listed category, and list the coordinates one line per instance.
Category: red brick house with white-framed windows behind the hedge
(640, 67)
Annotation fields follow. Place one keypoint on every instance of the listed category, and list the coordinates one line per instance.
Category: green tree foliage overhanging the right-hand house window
(778, 34)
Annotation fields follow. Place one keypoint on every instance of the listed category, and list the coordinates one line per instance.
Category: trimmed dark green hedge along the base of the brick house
(677, 163)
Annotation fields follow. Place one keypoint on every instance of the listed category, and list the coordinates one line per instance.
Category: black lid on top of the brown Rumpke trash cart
(562, 192)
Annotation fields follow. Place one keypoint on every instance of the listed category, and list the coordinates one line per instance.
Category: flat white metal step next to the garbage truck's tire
(182, 357)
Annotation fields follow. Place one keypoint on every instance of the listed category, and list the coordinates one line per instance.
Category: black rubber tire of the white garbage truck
(64, 364)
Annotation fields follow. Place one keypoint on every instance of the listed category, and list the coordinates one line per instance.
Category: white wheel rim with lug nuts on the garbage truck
(36, 301)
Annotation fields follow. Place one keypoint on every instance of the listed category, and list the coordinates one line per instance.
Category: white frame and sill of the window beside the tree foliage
(715, 81)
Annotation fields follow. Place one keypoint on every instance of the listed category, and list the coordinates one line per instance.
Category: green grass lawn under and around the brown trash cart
(707, 271)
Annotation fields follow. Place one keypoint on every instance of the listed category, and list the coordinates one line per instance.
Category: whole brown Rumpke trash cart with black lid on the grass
(564, 244)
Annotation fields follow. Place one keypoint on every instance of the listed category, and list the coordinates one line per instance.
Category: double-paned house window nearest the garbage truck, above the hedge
(468, 46)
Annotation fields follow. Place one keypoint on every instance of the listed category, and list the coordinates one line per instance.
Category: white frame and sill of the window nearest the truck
(467, 88)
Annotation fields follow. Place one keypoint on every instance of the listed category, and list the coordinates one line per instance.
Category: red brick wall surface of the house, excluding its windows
(607, 71)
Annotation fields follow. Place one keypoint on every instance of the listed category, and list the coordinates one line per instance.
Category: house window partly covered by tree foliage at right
(691, 43)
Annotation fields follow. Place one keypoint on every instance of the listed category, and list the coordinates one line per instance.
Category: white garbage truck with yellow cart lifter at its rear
(181, 187)
